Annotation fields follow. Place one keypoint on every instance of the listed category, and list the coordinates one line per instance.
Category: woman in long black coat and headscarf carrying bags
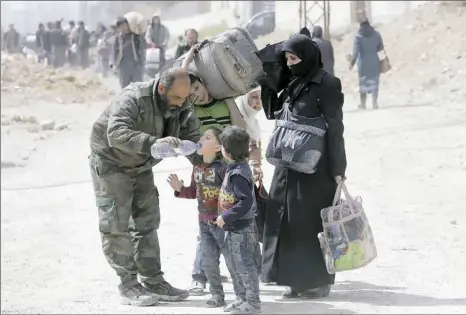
(291, 252)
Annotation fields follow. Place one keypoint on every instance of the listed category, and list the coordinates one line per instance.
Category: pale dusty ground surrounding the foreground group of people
(407, 160)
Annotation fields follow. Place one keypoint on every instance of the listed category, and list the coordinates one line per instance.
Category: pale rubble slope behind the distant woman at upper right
(427, 51)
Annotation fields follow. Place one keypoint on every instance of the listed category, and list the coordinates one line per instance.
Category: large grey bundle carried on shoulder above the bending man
(227, 64)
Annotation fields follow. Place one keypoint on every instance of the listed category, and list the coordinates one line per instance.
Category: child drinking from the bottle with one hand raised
(207, 178)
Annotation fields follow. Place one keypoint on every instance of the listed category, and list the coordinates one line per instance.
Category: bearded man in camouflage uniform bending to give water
(121, 164)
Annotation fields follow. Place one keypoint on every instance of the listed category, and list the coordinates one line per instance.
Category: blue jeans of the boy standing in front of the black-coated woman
(240, 249)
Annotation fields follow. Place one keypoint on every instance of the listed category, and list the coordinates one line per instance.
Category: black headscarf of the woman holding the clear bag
(311, 61)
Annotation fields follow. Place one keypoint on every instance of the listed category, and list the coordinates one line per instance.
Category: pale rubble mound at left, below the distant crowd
(24, 76)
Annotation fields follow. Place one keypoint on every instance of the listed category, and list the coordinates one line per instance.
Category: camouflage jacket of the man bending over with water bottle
(134, 120)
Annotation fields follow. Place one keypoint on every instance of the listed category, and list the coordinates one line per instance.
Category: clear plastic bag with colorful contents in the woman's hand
(347, 242)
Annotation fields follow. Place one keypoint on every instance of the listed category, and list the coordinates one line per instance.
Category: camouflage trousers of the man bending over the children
(129, 216)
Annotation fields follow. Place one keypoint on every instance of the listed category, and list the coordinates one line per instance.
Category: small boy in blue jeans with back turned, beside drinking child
(236, 205)
